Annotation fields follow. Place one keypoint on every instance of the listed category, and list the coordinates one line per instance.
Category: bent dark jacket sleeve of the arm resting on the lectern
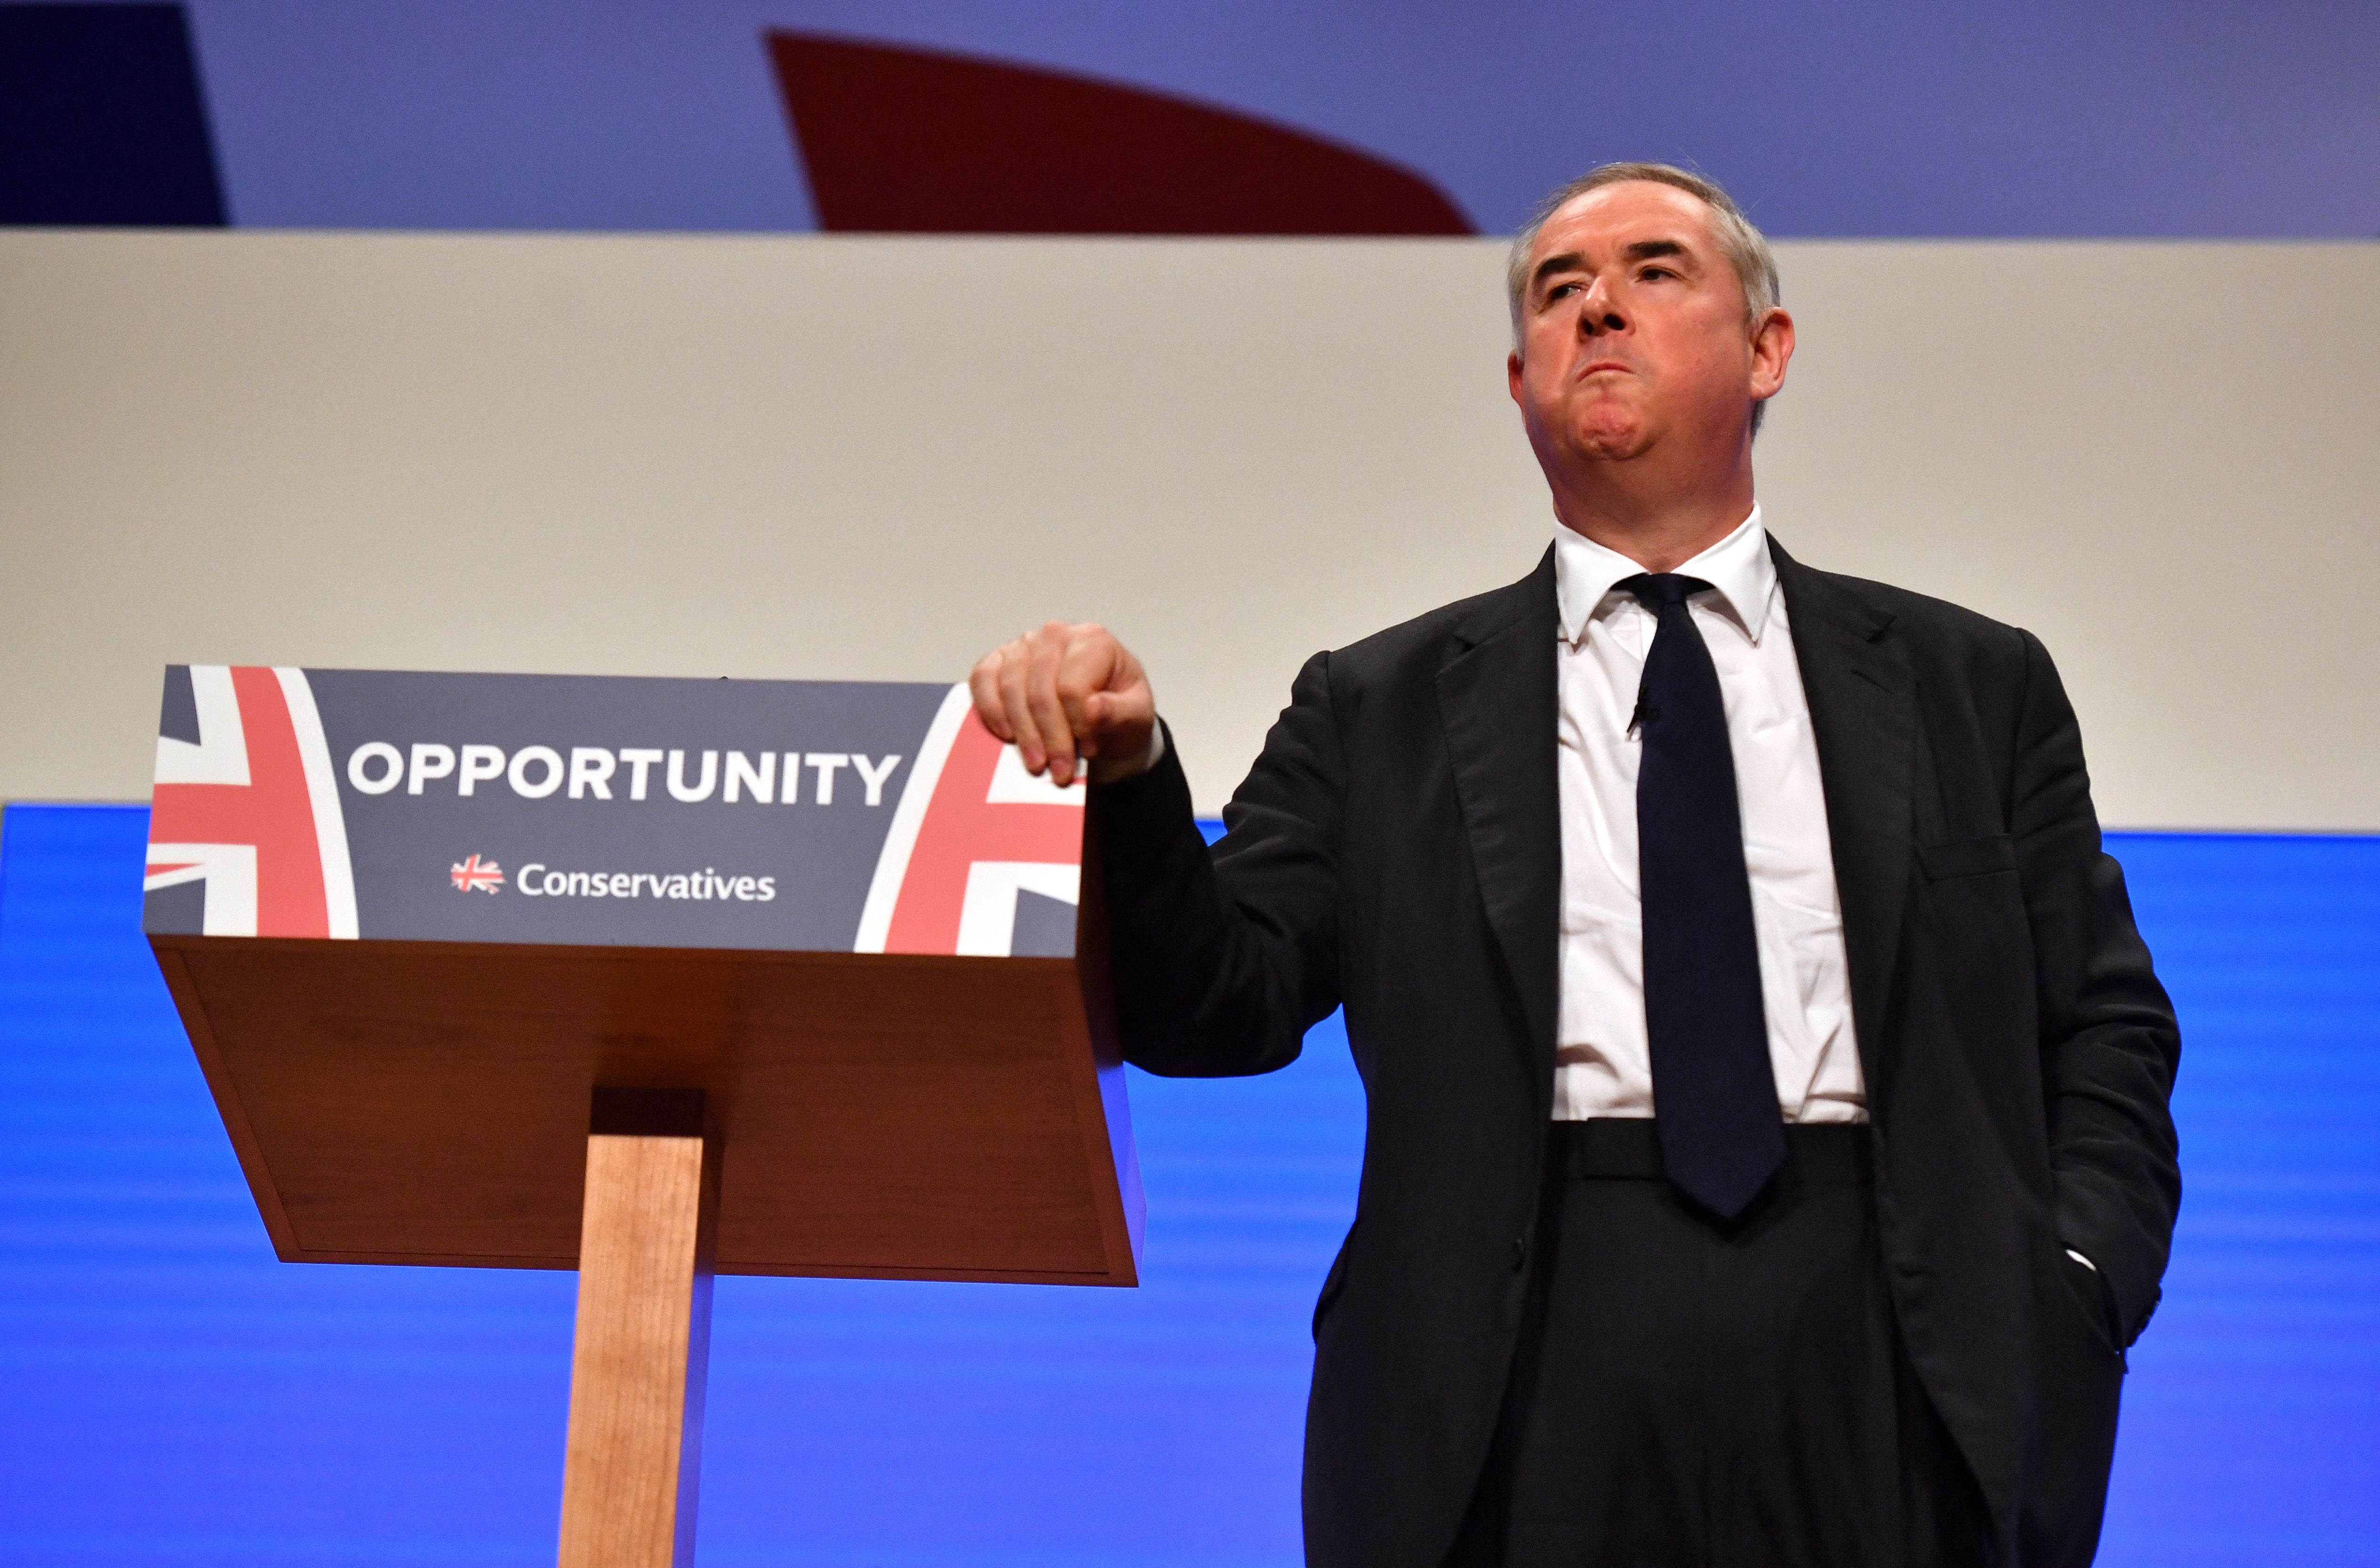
(1222, 960)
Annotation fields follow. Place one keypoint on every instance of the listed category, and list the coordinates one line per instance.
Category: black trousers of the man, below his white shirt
(1715, 1395)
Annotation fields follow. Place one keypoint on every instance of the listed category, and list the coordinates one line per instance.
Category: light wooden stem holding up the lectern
(649, 1241)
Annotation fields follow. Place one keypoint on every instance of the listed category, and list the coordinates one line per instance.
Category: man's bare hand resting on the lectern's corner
(1072, 701)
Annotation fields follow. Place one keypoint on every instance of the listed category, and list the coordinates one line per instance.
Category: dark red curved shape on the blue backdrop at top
(913, 142)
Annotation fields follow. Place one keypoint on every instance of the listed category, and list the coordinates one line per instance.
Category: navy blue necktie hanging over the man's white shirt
(1712, 1086)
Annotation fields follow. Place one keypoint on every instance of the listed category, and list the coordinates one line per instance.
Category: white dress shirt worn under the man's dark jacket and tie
(1601, 1055)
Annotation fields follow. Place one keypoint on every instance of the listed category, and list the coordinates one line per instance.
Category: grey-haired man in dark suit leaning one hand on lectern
(1767, 1146)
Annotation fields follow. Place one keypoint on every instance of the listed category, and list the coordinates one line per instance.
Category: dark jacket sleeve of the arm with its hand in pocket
(2110, 1041)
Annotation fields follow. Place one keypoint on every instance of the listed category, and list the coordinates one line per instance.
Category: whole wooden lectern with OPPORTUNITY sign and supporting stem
(618, 974)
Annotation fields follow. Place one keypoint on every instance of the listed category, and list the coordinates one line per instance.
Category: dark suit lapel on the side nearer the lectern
(1496, 701)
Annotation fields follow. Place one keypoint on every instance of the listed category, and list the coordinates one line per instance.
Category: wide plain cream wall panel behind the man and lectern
(875, 458)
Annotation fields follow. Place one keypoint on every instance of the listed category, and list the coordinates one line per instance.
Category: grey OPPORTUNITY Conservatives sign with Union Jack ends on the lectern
(596, 810)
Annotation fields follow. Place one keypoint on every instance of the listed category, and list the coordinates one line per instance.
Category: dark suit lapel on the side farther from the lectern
(1862, 705)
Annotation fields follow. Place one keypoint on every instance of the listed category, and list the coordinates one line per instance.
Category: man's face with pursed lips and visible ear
(1634, 332)
